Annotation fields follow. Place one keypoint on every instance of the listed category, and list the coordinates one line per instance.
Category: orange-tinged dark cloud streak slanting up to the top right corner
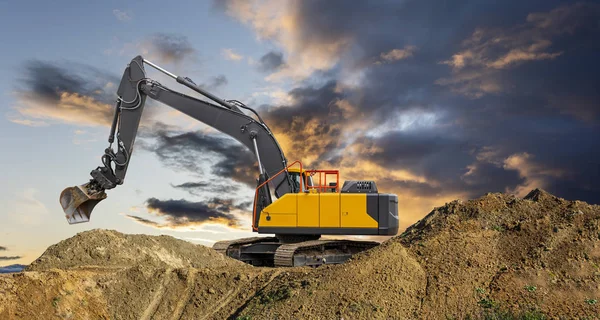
(477, 69)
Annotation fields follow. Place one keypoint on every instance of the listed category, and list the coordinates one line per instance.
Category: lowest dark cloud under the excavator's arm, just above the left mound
(183, 214)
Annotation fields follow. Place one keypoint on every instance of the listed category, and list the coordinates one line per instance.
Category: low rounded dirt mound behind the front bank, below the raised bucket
(109, 248)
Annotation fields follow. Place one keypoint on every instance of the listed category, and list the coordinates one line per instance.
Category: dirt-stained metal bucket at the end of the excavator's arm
(78, 203)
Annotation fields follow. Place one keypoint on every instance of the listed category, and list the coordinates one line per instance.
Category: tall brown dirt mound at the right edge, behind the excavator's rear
(501, 254)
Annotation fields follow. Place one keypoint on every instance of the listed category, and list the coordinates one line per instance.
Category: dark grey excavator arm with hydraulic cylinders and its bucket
(225, 116)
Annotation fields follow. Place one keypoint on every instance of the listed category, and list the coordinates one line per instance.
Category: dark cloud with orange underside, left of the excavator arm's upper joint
(63, 93)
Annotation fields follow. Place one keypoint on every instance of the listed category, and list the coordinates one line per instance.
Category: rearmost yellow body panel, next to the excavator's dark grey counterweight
(354, 211)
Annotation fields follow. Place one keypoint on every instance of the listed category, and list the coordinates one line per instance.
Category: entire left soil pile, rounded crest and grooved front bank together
(104, 274)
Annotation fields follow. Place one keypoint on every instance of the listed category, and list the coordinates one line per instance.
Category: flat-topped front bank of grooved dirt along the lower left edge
(130, 293)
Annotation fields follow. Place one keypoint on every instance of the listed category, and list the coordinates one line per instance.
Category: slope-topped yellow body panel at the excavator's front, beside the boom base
(282, 212)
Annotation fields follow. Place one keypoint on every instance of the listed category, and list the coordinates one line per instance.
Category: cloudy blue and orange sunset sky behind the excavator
(433, 100)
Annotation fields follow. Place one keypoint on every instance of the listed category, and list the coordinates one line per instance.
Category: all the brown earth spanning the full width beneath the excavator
(496, 257)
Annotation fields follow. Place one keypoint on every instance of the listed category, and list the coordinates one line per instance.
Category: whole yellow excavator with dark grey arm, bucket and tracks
(307, 205)
